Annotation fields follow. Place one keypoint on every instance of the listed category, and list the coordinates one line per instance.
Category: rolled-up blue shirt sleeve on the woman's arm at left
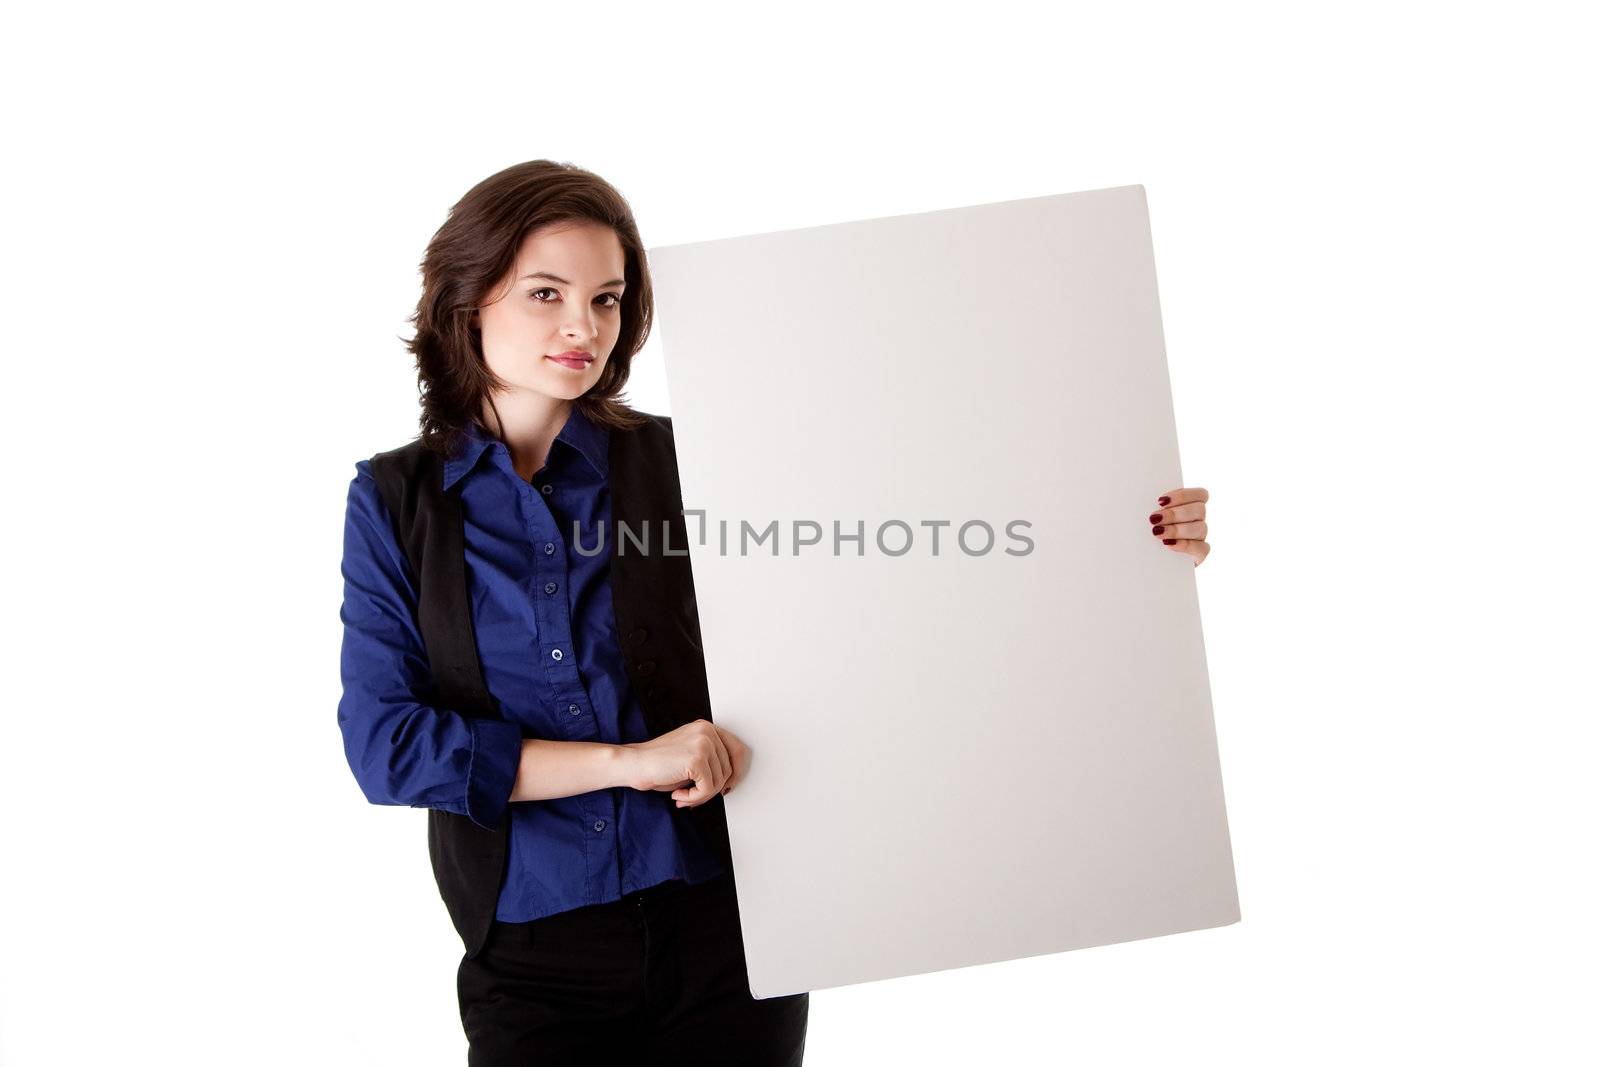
(402, 749)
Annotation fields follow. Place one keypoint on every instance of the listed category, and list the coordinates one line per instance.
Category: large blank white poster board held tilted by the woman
(967, 746)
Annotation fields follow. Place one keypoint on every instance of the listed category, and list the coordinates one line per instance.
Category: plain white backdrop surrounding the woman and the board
(1375, 234)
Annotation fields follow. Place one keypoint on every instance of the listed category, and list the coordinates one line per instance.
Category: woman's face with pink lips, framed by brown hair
(564, 297)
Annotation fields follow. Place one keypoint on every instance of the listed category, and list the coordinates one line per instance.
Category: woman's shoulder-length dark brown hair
(474, 250)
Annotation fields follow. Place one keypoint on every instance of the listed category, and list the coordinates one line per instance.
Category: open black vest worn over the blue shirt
(657, 620)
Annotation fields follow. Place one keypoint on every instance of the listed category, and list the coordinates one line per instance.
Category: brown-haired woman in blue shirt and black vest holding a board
(545, 700)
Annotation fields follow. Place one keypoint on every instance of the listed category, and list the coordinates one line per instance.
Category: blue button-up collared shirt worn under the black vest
(551, 657)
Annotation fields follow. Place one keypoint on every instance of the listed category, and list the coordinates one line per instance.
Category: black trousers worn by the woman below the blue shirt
(655, 978)
